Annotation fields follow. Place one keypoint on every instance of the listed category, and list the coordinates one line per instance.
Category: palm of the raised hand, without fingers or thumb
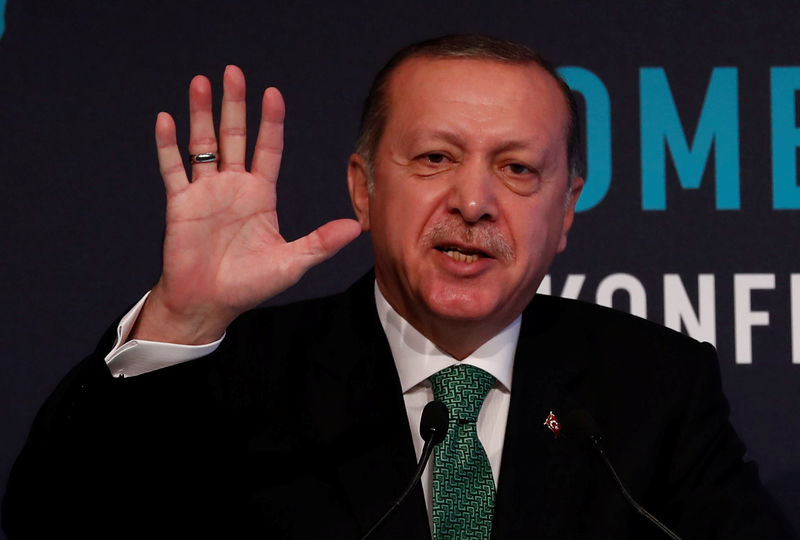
(222, 243)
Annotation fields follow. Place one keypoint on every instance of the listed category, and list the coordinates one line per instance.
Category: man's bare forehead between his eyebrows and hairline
(484, 95)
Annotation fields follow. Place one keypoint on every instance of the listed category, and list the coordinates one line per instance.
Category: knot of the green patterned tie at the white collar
(462, 388)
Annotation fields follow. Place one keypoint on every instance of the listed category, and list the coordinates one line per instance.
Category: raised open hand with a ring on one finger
(223, 252)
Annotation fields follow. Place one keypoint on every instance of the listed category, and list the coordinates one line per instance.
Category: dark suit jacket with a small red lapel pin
(296, 427)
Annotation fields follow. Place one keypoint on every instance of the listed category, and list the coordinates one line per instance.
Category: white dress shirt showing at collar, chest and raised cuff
(415, 357)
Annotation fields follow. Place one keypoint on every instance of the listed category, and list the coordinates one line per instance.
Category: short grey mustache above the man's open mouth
(483, 236)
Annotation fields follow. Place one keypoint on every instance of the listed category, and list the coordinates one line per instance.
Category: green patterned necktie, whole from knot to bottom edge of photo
(463, 487)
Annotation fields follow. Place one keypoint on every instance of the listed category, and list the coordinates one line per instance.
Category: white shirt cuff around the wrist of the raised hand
(137, 356)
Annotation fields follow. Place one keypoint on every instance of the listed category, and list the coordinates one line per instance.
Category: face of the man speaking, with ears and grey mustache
(469, 204)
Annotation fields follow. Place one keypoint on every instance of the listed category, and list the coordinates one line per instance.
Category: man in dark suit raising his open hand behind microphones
(301, 421)
